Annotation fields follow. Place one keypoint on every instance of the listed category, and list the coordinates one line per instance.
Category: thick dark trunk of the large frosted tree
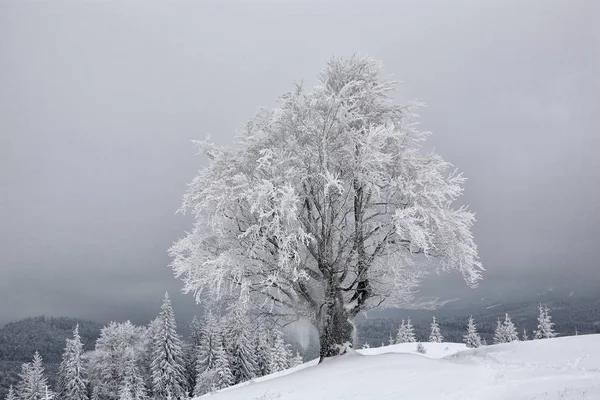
(336, 330)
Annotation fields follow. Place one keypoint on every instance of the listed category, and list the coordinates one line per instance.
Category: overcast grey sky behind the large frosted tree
(99, 102)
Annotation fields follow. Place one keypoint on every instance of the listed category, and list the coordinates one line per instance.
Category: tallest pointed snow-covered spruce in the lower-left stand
(167, 363)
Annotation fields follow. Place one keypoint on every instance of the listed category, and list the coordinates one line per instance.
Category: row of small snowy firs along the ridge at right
(505, 331)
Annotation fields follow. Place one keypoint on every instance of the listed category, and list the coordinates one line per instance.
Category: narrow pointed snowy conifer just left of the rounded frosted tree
(72, 381)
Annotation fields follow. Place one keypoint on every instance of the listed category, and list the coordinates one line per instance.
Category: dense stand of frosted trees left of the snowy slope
(141, 363)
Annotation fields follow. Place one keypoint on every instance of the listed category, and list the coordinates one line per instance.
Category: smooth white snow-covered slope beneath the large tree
(564, 368)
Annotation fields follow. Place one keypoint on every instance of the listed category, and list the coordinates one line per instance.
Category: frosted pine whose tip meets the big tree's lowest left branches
(238, 345)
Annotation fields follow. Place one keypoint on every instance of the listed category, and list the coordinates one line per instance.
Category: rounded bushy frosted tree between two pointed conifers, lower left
(108, 363)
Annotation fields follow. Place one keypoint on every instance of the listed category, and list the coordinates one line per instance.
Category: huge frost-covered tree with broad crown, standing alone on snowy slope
(322, 206)
